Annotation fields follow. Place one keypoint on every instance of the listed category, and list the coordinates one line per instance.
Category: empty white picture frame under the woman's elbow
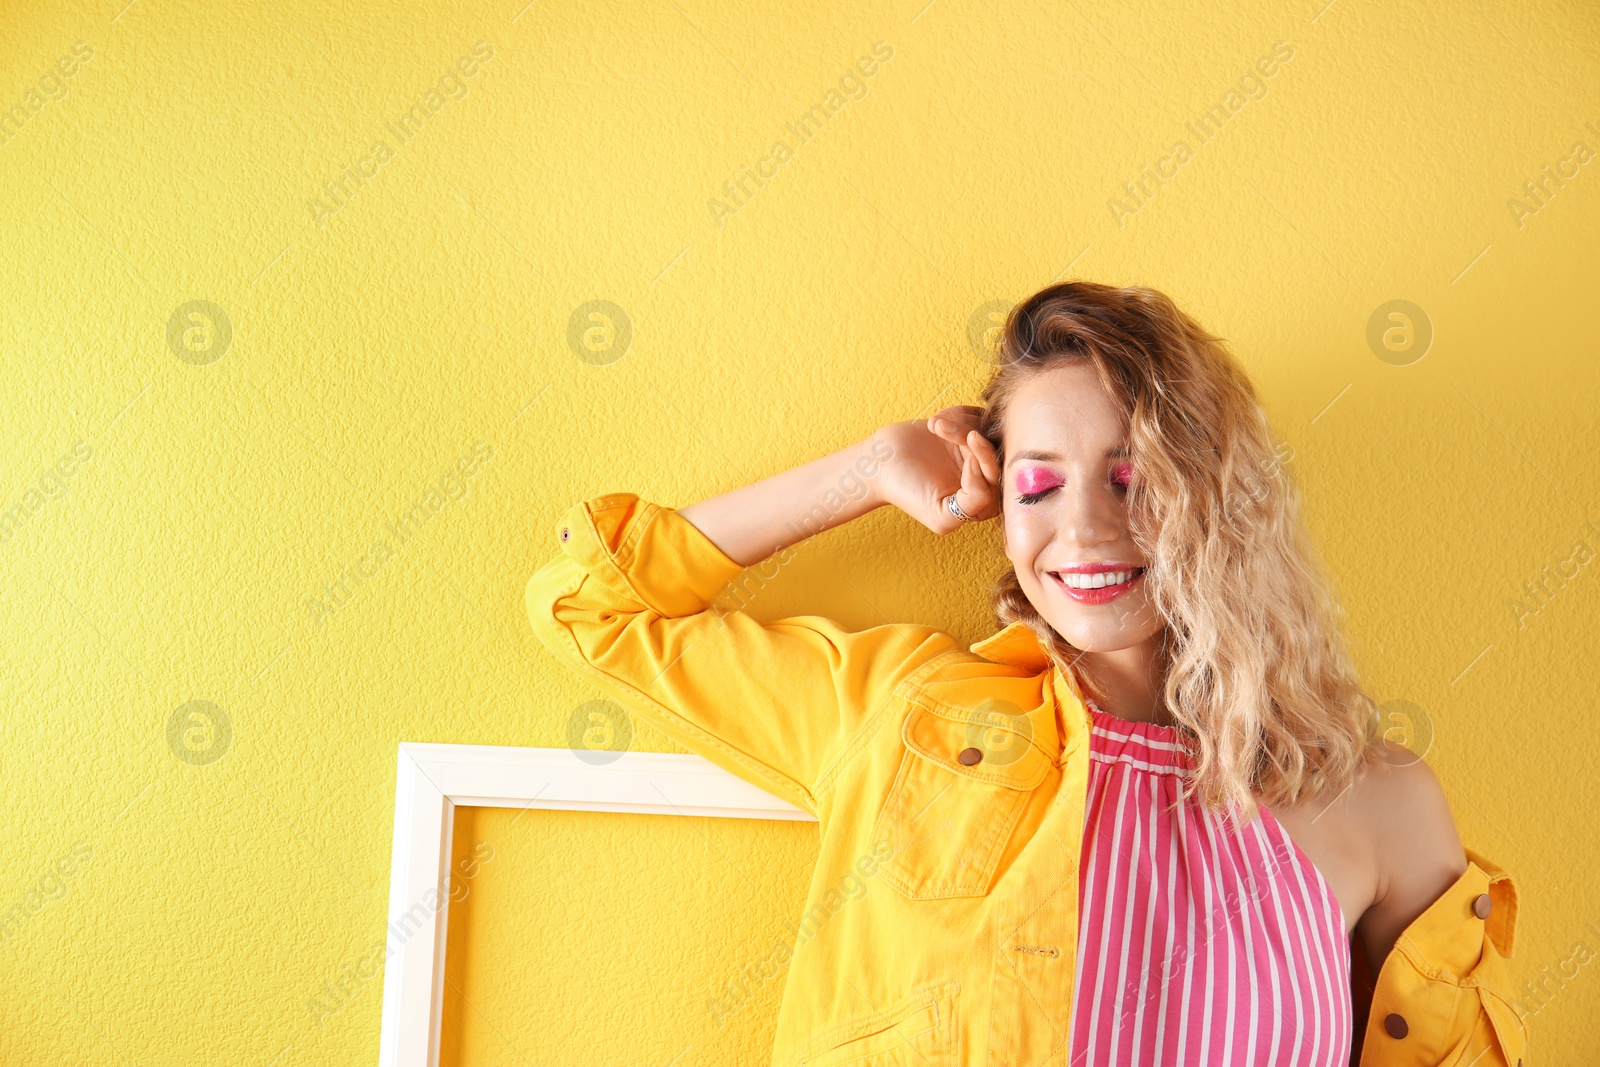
(434, 780)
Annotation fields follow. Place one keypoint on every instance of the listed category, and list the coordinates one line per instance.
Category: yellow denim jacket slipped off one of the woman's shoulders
(942, 917)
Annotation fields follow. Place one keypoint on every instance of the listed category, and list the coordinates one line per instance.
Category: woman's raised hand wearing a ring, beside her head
(935, 458)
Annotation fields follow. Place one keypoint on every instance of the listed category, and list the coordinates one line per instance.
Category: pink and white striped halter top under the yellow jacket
(1201, 941)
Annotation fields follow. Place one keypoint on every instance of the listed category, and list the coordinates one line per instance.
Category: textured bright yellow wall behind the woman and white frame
(279, 457)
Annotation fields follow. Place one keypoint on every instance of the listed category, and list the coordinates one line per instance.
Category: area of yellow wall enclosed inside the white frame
(590, 938)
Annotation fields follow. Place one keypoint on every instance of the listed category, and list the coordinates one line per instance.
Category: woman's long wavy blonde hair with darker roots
(1257, 673)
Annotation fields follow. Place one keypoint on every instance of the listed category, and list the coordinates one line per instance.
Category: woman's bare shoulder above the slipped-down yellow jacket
(1401, 807)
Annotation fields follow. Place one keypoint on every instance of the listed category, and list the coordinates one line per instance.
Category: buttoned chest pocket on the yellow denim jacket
(962, 785)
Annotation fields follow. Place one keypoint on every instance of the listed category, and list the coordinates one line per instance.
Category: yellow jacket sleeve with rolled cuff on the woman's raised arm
(630, 604)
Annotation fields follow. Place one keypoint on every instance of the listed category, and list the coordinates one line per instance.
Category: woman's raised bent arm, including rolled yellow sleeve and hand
(630, 604)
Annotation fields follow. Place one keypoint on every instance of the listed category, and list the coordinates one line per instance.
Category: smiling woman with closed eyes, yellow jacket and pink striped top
(1153, 820)
